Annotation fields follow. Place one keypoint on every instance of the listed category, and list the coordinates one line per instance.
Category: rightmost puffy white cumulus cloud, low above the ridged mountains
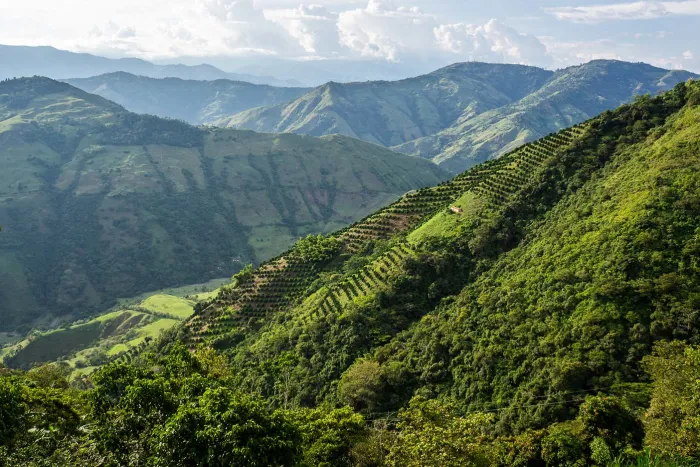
(492, 42)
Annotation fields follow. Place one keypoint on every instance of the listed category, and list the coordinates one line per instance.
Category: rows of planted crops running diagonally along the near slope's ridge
(285, 284)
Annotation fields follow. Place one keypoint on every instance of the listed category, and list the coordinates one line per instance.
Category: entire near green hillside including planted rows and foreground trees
(540, 309)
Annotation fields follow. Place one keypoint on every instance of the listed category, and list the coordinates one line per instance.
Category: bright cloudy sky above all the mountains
(546, 33)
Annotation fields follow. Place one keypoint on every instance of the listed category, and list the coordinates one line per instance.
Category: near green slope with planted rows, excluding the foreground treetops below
(516, 288)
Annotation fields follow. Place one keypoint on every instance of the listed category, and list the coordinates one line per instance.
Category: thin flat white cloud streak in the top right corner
(625, 11)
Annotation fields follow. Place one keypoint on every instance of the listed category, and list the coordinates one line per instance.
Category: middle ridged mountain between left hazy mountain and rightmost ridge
(391, 113)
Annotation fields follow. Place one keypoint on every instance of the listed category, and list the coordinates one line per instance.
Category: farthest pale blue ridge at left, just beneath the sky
(19, 61)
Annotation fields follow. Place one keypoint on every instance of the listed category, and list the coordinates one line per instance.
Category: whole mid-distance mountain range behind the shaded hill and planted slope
(456, 116)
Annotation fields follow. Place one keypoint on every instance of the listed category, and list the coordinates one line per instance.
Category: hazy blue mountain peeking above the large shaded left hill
(195, 102)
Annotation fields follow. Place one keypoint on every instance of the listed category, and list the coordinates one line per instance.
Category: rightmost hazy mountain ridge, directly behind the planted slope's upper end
(571, 96)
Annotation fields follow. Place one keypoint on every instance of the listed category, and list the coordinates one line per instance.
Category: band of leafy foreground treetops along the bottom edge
(186, 409)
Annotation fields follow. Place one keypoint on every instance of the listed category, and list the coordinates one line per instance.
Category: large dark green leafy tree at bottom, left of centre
(178, 412)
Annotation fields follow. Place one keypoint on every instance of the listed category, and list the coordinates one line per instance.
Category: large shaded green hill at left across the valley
(98, 203)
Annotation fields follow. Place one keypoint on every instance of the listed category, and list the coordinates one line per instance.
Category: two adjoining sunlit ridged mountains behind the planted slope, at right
(466, 113)
